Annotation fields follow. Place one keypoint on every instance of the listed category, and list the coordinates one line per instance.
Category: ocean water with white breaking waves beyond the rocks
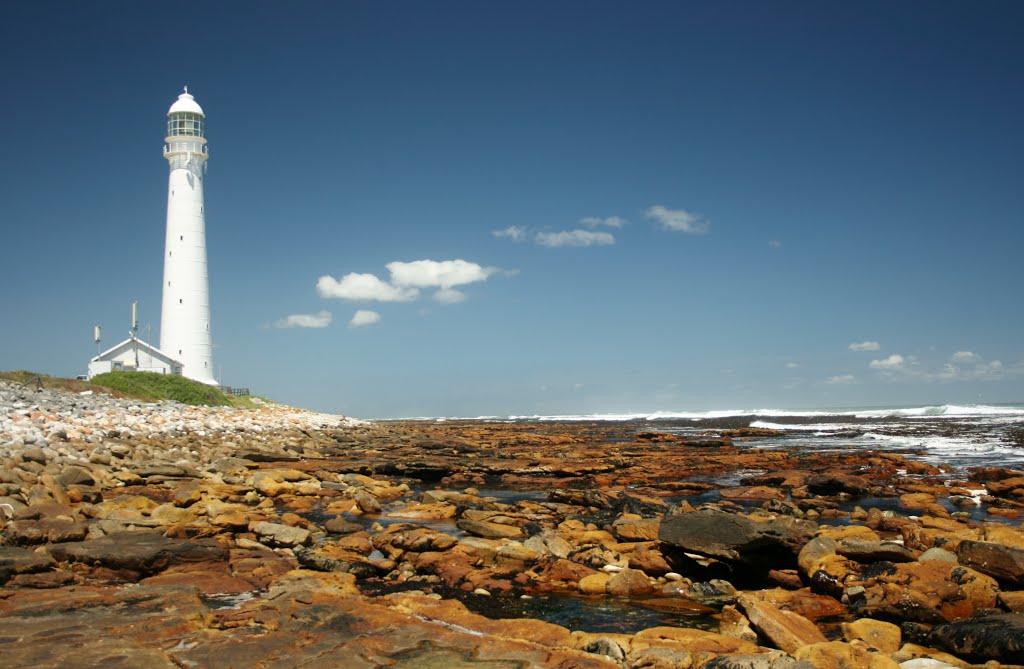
(958, 436)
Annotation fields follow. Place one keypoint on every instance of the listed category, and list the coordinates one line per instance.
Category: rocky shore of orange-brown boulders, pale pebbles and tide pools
(158, 535)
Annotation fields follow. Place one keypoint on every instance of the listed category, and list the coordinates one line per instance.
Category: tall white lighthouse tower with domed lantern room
(185, 319)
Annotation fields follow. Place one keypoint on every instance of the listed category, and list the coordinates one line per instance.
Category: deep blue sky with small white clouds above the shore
(534, 207)
